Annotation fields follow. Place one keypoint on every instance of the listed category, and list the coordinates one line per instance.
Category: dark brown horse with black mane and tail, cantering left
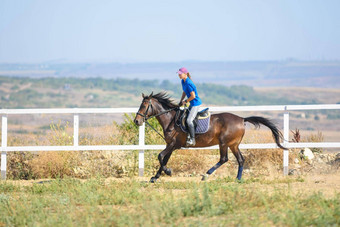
(226, 130)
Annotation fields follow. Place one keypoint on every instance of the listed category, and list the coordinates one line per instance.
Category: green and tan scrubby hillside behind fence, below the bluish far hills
(65, 92)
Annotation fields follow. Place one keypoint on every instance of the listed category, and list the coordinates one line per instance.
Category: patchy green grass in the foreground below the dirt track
(220, 202)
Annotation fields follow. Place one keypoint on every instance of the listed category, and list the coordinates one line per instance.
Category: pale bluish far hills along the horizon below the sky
(290, 73)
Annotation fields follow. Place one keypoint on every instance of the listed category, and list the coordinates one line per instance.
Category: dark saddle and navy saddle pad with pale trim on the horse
(201, 121)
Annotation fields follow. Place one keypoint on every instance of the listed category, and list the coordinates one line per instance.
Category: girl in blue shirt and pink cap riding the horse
(189, 90)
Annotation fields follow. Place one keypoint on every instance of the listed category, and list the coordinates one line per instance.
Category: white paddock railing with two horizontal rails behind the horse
(141, 146)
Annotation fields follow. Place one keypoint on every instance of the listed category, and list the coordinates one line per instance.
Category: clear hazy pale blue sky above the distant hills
(168, 30)
